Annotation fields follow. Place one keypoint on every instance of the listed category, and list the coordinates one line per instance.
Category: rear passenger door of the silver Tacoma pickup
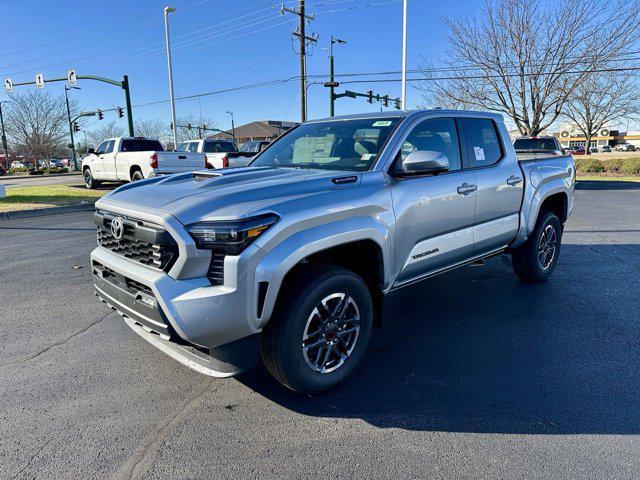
(500, 183)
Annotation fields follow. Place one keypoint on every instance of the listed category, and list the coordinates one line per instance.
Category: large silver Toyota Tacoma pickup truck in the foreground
(290, 259)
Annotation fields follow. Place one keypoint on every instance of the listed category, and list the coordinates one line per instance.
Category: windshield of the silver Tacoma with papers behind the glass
(332, 145)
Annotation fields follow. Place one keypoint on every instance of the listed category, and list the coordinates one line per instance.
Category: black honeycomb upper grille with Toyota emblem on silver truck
(144, 243)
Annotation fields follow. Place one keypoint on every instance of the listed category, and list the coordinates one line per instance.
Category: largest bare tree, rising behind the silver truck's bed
(524, 58)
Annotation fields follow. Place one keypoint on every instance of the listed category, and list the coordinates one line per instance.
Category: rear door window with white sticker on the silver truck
(483, 144)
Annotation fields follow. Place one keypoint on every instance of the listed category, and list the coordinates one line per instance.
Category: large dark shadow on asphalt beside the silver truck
(478, 351)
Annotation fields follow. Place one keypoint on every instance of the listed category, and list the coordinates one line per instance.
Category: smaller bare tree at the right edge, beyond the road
(600, 101)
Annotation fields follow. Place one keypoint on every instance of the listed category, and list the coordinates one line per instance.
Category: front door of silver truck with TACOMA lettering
(434, 213)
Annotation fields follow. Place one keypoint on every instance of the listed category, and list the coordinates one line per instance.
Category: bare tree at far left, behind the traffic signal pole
(37, 125)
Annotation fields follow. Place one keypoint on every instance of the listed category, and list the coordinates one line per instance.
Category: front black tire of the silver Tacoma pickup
(282, 338)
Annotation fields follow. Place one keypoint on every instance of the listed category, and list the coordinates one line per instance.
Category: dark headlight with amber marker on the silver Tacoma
(230, 237)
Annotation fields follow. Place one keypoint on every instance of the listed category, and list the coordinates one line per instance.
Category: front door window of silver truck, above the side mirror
(436, 135)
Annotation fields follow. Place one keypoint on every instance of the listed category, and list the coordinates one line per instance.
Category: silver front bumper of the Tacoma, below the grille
(207, 328)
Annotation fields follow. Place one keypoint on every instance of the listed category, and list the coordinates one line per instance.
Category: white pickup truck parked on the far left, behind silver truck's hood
(126, 159)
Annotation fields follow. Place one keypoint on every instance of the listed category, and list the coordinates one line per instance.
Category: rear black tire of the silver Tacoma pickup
(528, 261)
